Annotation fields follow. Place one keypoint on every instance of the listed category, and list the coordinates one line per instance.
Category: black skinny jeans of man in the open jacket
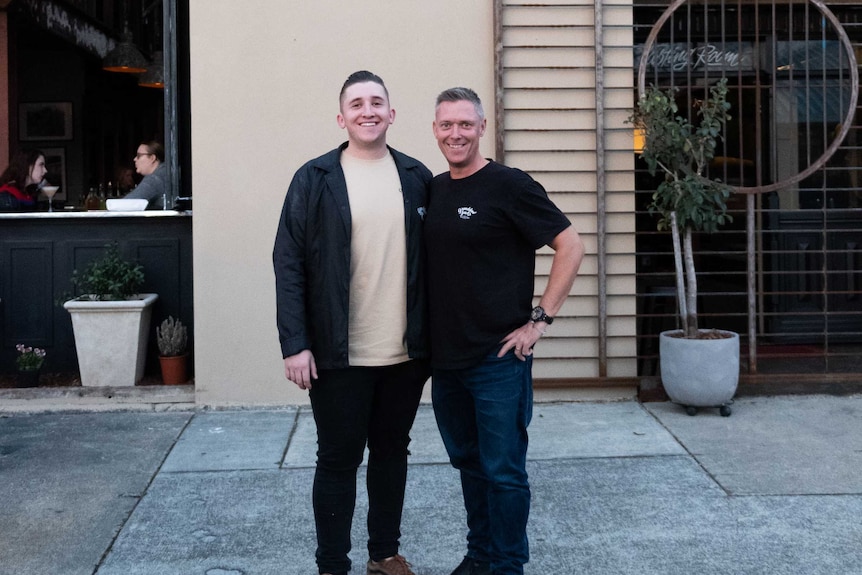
(353, 406)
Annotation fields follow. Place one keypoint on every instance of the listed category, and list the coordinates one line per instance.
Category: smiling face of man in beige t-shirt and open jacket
(366, 115)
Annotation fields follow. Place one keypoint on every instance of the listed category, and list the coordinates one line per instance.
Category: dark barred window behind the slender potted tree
(786, 272)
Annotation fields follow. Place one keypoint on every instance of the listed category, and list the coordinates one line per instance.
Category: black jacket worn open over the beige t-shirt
(312, 260)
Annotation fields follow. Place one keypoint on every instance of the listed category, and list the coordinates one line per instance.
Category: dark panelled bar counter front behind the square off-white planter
(40, 250)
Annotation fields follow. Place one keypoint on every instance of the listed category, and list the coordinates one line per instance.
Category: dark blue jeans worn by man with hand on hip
(483, 413)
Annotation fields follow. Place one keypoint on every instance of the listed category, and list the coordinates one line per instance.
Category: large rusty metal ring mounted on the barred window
(845, 125)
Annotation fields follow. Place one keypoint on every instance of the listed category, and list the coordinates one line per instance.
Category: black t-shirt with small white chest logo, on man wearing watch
(482, 233)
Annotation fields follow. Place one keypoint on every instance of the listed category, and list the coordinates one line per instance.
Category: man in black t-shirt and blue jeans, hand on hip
(484, 224)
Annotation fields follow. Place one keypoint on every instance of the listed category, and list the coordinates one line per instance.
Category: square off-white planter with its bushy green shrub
(111, 320)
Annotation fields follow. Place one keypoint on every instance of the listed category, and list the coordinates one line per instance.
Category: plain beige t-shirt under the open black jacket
(378, 263)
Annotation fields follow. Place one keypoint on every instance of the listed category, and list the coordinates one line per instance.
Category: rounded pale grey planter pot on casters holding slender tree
(699, 372)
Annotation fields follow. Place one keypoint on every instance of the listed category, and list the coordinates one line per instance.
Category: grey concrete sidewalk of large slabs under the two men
(618, 487)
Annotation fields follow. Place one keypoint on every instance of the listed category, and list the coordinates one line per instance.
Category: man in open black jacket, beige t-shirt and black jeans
(352, 315)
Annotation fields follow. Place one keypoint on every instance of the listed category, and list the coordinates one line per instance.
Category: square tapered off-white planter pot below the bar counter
(111, 339)
